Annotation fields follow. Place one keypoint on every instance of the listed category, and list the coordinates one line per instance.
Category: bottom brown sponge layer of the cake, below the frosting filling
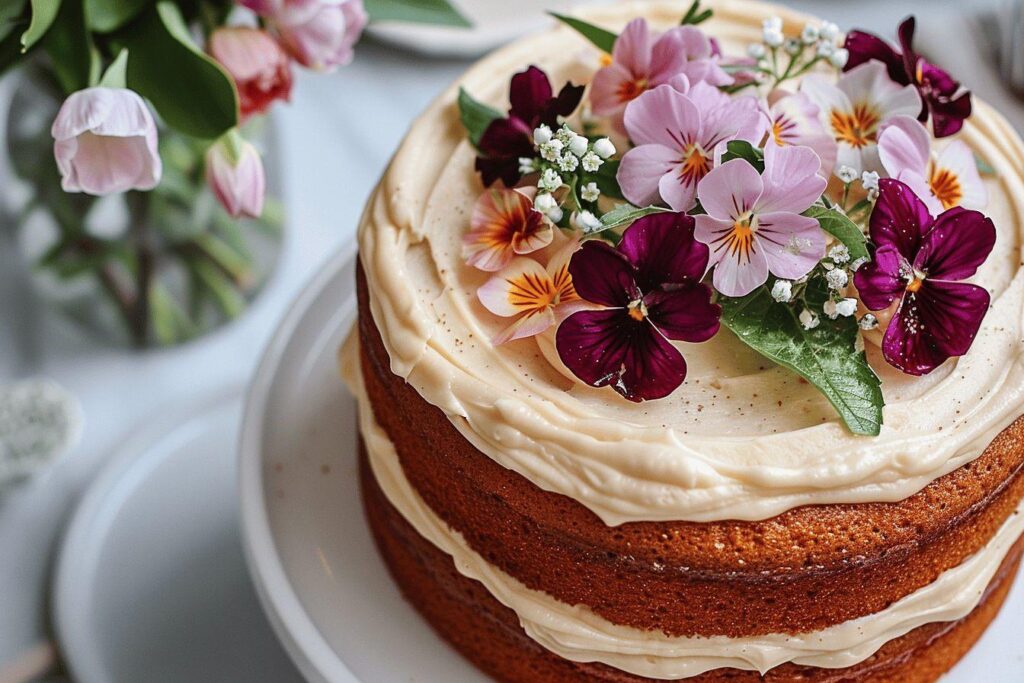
(486, 632)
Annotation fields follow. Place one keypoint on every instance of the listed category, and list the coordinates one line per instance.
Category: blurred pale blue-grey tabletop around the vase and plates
(336, 138)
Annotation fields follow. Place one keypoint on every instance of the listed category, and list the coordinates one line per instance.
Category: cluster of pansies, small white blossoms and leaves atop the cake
(799, 195)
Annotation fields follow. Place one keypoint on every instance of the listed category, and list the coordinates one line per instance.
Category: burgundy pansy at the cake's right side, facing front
(919, 262)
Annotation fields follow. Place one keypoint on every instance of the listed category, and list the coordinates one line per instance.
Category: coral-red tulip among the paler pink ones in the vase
(261, 68)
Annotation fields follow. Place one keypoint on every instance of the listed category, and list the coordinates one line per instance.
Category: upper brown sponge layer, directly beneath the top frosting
(804, 571)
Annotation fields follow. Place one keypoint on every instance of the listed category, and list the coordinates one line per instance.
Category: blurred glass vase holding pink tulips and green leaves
(155, 196)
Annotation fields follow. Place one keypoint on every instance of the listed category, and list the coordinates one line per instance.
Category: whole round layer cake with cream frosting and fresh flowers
(830, 487)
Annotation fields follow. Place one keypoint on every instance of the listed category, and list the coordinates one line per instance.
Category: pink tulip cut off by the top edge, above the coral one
(319, 34)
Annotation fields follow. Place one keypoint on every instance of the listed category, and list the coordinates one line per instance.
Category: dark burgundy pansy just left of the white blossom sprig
(506, 141)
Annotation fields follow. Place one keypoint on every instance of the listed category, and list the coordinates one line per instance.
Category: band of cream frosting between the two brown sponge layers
(578, 634)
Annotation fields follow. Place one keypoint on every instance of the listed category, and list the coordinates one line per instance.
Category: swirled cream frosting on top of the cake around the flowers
(741, 439)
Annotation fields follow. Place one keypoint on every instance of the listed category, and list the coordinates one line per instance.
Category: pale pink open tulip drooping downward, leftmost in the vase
(105, 141)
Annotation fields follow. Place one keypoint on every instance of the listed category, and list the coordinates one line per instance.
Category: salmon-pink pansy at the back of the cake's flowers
(642, 62)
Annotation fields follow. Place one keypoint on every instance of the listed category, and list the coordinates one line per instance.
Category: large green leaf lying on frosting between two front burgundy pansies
(827, 357)
